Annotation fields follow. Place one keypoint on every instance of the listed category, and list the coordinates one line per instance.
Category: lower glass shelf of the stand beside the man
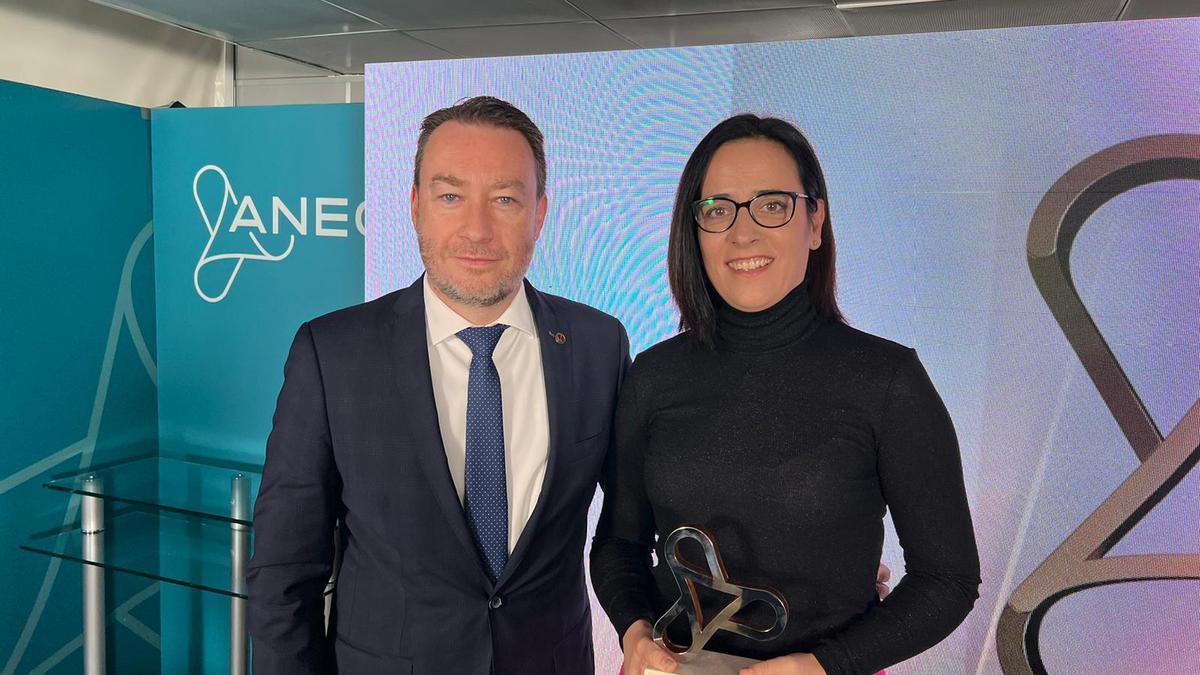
(163, 546)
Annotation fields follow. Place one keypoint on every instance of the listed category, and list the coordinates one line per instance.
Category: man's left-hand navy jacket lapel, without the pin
(412, 359)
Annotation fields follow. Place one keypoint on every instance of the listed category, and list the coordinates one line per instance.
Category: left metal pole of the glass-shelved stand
(93, 528)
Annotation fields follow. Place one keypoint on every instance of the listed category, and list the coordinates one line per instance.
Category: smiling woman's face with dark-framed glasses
(754, 267)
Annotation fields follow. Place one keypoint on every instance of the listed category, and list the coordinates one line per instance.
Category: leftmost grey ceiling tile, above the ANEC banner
(239, 21)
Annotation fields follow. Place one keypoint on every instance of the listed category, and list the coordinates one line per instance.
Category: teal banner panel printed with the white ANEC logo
(260, 228)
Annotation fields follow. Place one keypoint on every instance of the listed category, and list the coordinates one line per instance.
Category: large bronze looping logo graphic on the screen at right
(1082, 563)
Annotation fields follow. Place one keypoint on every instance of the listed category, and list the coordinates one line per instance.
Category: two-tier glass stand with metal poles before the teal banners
(172, 521)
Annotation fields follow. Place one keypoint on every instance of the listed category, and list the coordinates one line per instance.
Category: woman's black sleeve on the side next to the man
(621, 551)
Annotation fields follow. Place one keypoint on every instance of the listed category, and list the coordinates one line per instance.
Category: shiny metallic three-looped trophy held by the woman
(694, 660)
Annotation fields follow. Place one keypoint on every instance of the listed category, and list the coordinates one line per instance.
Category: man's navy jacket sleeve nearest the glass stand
(295, 521)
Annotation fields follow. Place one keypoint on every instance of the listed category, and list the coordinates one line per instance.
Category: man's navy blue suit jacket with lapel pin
(356, 443)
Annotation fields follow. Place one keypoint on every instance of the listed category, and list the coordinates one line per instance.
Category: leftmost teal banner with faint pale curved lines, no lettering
(77, 362)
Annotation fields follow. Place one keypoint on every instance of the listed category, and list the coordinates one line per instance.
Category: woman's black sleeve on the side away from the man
(921, 476)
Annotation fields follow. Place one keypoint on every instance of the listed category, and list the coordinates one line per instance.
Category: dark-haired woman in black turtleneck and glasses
(782, 432)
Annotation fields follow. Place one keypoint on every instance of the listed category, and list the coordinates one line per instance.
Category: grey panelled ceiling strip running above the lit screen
(343, 35)
